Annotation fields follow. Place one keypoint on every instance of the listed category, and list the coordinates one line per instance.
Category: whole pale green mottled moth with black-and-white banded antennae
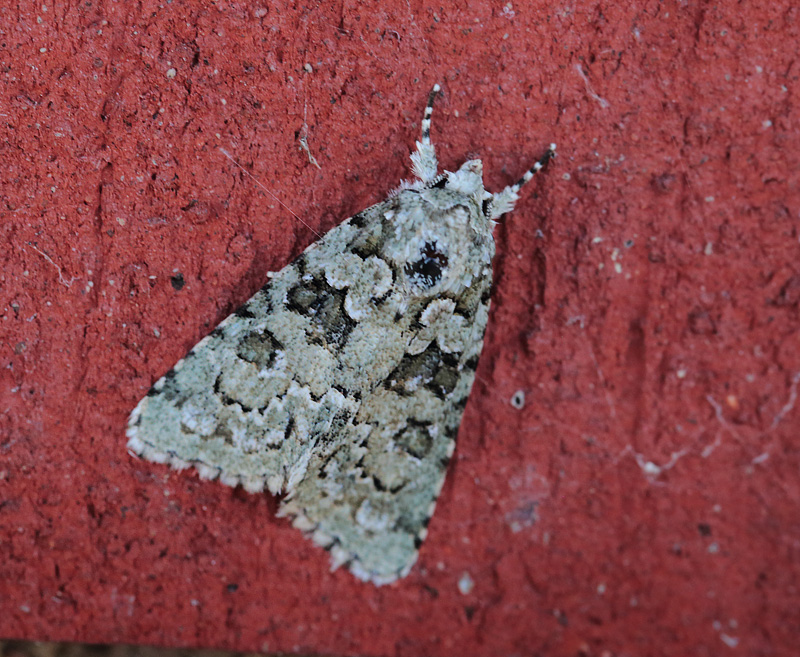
(342, 382)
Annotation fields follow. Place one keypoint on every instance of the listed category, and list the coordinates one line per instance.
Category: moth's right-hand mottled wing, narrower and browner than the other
(369, 495)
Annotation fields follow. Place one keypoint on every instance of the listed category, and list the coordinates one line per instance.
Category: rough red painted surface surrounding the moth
(644, 501)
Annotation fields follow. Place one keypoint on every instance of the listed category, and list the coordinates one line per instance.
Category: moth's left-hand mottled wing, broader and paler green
(248, 403)
